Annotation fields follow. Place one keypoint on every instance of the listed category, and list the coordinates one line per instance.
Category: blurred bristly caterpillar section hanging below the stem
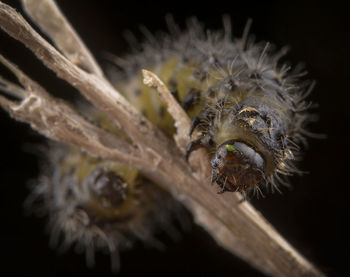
(98, 204)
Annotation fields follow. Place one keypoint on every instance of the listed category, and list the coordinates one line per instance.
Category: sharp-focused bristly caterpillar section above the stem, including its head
(249, 109)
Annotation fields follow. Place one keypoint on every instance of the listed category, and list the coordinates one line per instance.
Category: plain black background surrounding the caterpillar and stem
(313, 216)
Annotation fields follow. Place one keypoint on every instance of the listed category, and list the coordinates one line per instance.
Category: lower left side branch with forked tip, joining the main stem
(58, 121)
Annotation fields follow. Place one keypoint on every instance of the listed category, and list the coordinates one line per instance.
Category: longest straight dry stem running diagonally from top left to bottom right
(237, 227)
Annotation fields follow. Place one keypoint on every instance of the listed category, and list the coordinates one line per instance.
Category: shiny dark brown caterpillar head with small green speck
(236, 166)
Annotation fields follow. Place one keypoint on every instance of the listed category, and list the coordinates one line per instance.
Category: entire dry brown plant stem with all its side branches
(237, 227)
